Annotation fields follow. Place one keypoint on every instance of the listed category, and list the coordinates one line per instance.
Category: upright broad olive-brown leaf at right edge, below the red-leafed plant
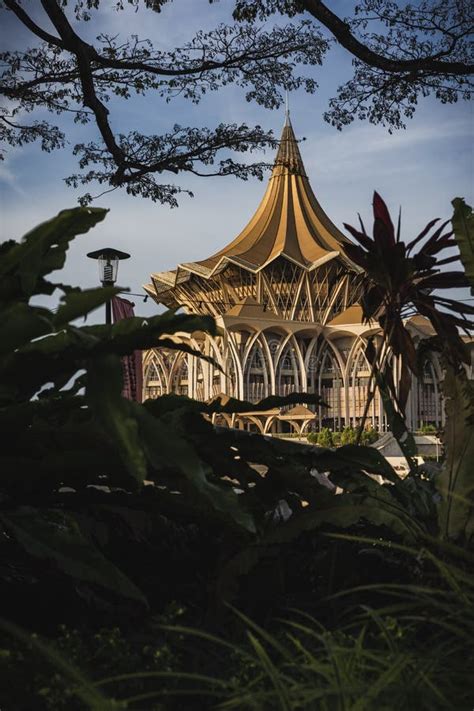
(456, 482)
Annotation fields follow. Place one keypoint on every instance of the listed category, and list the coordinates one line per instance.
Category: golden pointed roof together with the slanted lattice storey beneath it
(288, 260)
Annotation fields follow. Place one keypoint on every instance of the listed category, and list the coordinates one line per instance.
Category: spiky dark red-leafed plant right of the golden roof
(398, 280)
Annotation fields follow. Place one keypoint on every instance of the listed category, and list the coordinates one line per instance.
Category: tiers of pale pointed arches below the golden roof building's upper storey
(260, 362)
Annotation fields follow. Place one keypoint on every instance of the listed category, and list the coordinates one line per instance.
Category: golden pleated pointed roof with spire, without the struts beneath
(289, 221)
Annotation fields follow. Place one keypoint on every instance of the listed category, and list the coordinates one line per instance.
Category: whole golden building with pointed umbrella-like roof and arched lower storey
(284, 297)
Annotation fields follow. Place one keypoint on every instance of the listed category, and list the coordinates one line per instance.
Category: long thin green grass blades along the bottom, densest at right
(412, 648)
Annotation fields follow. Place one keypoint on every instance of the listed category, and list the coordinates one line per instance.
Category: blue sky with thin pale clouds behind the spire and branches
(421, 168)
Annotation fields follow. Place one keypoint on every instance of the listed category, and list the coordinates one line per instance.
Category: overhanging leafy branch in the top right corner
(401, 53)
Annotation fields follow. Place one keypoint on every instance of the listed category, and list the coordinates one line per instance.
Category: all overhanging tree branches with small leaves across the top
(401, 52)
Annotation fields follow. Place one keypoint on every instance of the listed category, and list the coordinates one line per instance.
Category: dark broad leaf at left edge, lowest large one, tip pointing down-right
(56, 536)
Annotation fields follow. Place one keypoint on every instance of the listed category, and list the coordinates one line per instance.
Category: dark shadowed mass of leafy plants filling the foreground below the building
(367, 594)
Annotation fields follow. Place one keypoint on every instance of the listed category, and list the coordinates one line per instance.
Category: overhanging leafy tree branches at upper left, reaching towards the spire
(65, 73)
